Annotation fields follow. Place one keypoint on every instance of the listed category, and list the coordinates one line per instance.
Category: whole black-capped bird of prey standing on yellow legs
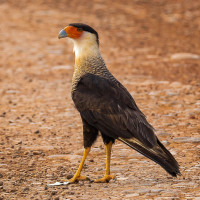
(107, 108)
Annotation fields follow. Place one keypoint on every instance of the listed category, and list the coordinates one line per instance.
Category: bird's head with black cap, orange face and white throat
(83, 36)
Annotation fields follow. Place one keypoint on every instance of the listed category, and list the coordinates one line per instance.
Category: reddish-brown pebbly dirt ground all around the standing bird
(152, 47)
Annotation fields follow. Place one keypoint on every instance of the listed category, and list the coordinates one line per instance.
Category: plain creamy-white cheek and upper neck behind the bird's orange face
(86, 46)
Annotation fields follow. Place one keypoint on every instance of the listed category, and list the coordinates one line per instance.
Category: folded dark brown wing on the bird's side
(109, 107)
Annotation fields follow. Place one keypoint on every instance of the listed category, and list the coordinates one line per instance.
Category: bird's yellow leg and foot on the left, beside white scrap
(77, 175)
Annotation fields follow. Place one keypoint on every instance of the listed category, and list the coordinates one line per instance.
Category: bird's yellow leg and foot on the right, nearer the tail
(107, 177)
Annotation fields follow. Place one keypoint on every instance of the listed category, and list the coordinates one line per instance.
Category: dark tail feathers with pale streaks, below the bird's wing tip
(158, 154)
